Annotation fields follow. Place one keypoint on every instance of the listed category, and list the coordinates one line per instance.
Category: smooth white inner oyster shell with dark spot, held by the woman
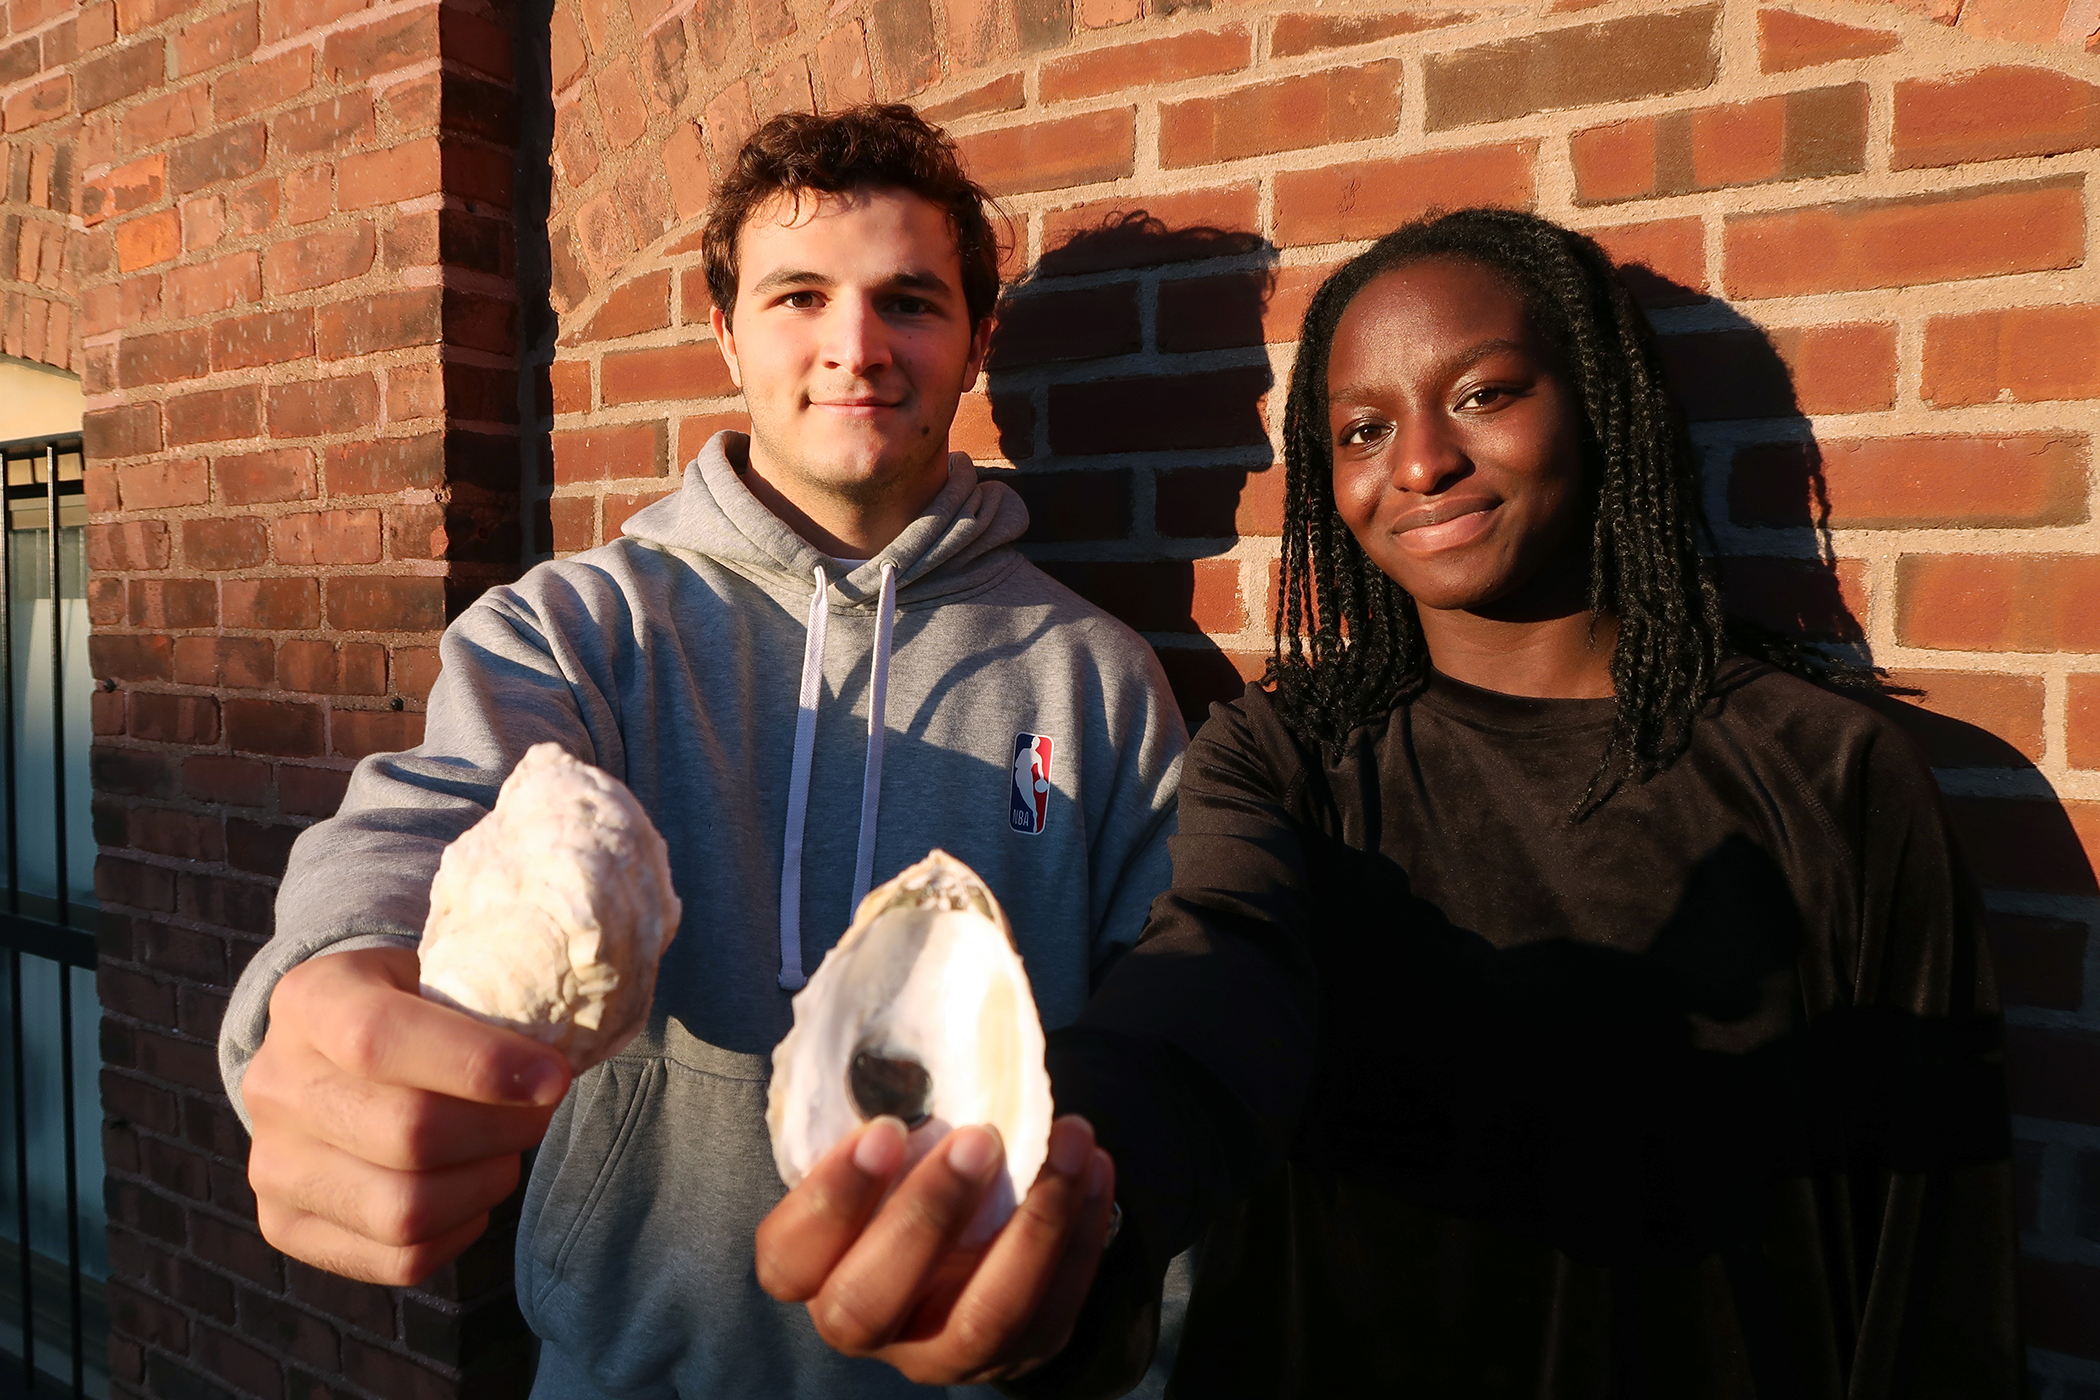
(927, 973)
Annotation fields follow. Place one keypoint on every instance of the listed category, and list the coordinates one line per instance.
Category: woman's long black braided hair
(1349, 643)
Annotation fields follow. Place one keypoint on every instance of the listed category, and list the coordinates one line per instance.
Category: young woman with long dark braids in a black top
(1553, 1000)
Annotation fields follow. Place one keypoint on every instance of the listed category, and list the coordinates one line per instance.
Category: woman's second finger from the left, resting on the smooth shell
(879, 1284)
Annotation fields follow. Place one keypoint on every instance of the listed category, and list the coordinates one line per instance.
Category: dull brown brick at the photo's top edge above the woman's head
(1584, 66)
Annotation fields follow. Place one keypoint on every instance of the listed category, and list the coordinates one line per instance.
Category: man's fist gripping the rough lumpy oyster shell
(387, 1126)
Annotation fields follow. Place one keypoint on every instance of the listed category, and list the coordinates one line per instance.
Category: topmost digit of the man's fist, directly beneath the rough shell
(356, 1011)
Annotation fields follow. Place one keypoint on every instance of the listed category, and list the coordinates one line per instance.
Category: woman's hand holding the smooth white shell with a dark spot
(898, 1284)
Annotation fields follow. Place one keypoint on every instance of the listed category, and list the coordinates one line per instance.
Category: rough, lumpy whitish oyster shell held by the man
(549, 914)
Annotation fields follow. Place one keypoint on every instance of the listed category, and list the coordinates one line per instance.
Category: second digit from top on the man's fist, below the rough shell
(299, 1093)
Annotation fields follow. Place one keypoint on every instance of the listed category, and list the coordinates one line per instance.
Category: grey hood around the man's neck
(717, 515)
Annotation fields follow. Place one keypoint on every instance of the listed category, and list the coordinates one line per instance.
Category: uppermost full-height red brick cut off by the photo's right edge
(1996, 114)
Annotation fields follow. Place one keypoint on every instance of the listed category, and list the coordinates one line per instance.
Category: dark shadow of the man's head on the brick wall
(1129, 387)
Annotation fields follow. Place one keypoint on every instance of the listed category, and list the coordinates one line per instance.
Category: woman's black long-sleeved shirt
(1694, 1099)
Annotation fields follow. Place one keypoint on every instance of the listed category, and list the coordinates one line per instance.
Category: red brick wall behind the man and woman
(1862, 226)
